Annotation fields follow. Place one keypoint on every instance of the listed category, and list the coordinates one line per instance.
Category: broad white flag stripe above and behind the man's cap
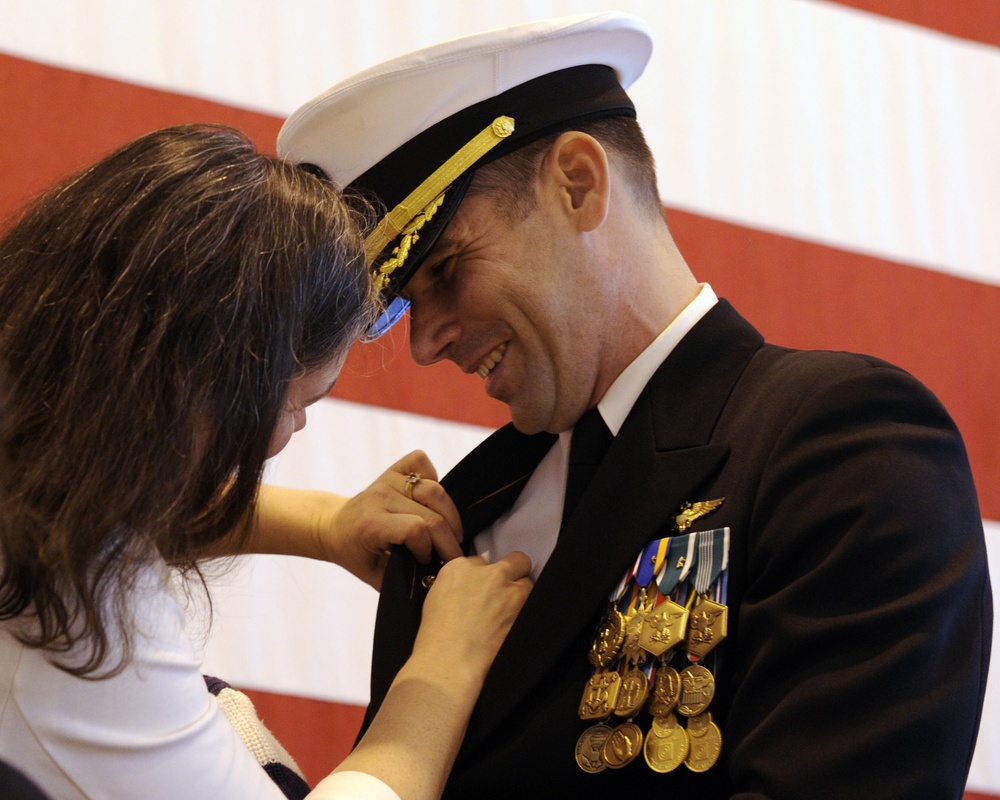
(805, 118)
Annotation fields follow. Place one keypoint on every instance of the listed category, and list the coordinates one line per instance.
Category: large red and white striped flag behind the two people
(833, 168)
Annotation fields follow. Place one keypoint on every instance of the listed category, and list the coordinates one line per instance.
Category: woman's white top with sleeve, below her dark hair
(152, 731)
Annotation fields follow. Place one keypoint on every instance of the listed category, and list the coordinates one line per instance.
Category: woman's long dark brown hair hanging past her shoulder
(154, 310)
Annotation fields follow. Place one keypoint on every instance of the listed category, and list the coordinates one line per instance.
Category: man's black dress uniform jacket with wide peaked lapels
(860, 603)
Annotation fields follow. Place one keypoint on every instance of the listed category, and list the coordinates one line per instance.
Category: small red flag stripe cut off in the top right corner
(978, 20)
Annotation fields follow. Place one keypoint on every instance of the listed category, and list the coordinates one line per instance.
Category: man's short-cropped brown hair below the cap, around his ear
(507, 180)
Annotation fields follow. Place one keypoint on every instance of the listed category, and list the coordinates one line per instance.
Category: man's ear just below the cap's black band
(576, 167)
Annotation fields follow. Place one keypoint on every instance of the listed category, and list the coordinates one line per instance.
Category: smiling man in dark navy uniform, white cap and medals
(773, 580)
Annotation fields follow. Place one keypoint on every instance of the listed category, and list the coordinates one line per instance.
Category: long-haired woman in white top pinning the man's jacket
(166, 317)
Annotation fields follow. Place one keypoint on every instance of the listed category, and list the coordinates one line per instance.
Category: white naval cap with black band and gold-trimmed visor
(408, 133)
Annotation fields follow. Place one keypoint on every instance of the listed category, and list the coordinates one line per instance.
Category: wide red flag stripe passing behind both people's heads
(798, 293)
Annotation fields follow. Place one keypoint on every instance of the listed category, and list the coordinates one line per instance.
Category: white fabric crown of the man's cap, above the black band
(355, 124)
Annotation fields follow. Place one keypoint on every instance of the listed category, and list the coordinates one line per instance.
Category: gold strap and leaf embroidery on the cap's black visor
(419, 207)
